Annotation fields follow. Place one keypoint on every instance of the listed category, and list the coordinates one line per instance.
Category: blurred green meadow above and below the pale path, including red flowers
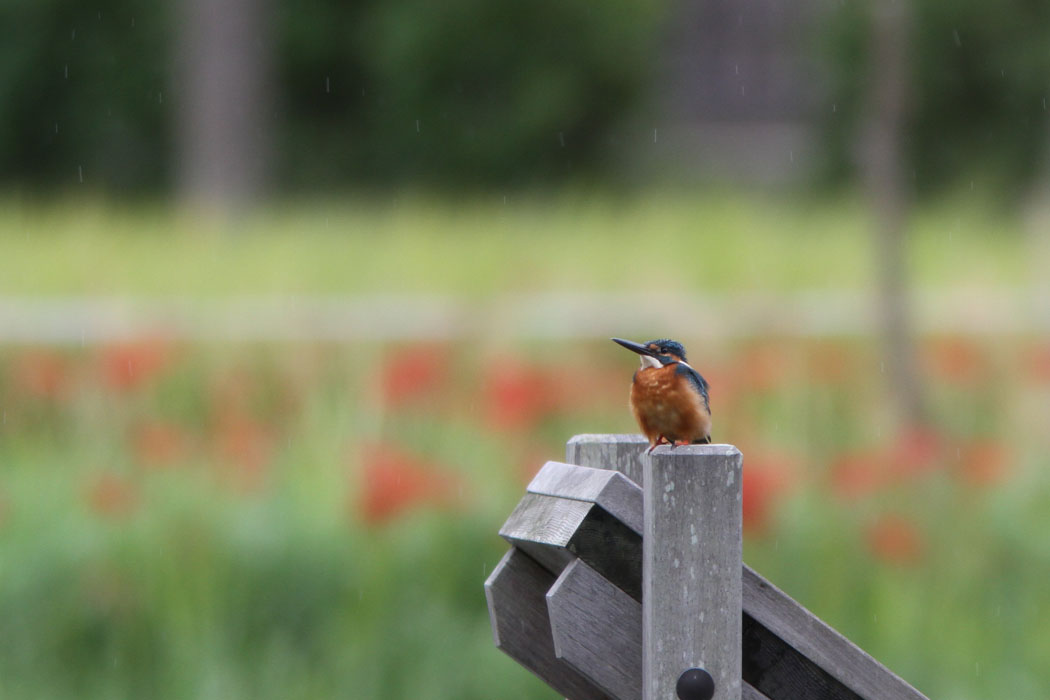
(307, 520)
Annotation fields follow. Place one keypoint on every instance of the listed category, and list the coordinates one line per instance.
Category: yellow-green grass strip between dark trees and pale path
(685, 242)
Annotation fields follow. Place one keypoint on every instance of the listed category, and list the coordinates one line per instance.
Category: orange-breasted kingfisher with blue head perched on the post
(668, 397)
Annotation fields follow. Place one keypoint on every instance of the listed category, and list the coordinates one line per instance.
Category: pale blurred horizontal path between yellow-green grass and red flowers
(556, 315)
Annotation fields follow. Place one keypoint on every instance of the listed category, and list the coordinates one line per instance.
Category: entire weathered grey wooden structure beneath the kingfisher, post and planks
(615, 591)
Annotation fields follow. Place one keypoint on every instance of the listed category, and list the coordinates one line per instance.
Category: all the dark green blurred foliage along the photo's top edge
(480, 93)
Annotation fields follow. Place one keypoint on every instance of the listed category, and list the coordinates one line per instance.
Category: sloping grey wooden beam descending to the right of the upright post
(776, 617)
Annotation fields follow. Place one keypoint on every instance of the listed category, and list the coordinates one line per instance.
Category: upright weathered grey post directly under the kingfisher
(692, 550)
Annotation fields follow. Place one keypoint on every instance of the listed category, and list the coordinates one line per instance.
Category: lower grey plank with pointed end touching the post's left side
(598, 630)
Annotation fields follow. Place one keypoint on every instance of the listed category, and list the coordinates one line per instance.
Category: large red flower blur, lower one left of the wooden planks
(396, 482)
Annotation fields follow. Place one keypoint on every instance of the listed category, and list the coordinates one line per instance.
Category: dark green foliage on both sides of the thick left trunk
(464, 92)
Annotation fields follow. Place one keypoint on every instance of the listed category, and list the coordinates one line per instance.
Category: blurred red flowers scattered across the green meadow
(514, 398)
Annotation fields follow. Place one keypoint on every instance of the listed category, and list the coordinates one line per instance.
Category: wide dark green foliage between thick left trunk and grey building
(466, 92)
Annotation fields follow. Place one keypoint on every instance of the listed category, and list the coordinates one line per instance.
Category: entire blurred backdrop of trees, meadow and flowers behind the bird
(297, 298)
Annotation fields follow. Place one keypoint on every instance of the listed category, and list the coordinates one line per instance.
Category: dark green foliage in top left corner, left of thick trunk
(83, 93)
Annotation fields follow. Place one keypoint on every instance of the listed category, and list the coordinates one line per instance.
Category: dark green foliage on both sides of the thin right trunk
(978, 72)
